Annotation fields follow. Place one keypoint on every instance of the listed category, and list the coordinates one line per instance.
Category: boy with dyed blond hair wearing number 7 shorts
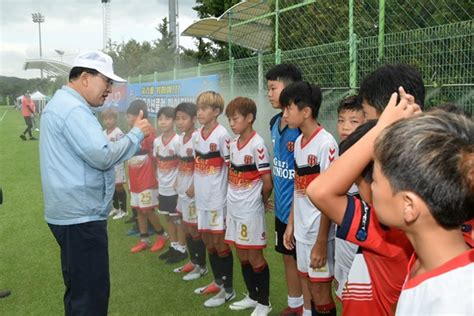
(211, 147)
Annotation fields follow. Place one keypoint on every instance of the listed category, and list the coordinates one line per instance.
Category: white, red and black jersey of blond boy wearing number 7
(210, 169)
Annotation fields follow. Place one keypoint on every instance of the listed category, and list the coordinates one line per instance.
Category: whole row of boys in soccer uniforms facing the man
(383, 219)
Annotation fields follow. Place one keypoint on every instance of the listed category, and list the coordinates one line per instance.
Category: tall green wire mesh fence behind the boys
(336, 43)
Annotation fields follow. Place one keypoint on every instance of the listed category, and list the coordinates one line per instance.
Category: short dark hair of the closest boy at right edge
(432, 155)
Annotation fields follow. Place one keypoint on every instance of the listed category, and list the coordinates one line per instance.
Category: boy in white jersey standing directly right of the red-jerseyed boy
(165, 150)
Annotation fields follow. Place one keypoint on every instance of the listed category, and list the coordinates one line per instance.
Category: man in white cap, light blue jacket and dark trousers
(77, 174)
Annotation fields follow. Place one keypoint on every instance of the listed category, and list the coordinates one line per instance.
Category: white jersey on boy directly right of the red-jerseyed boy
(166, 153)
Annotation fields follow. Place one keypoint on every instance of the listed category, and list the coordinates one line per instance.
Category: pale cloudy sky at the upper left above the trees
(74, 26)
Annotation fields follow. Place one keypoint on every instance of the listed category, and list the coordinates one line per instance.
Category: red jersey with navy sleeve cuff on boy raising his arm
(378, 271)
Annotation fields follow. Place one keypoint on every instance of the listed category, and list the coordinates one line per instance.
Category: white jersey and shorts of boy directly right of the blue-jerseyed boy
(311, 158)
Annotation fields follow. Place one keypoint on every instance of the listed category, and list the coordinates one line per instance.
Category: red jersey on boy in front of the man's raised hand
(142, 166)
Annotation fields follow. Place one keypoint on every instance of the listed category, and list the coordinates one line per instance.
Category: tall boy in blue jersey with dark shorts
(283, 139)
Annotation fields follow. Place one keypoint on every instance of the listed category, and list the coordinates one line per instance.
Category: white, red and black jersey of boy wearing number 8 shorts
(248, 162)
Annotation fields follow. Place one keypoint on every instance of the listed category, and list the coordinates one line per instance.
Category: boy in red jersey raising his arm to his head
(377, 272)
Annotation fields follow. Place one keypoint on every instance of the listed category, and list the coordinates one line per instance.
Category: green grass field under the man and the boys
(29, 255)
